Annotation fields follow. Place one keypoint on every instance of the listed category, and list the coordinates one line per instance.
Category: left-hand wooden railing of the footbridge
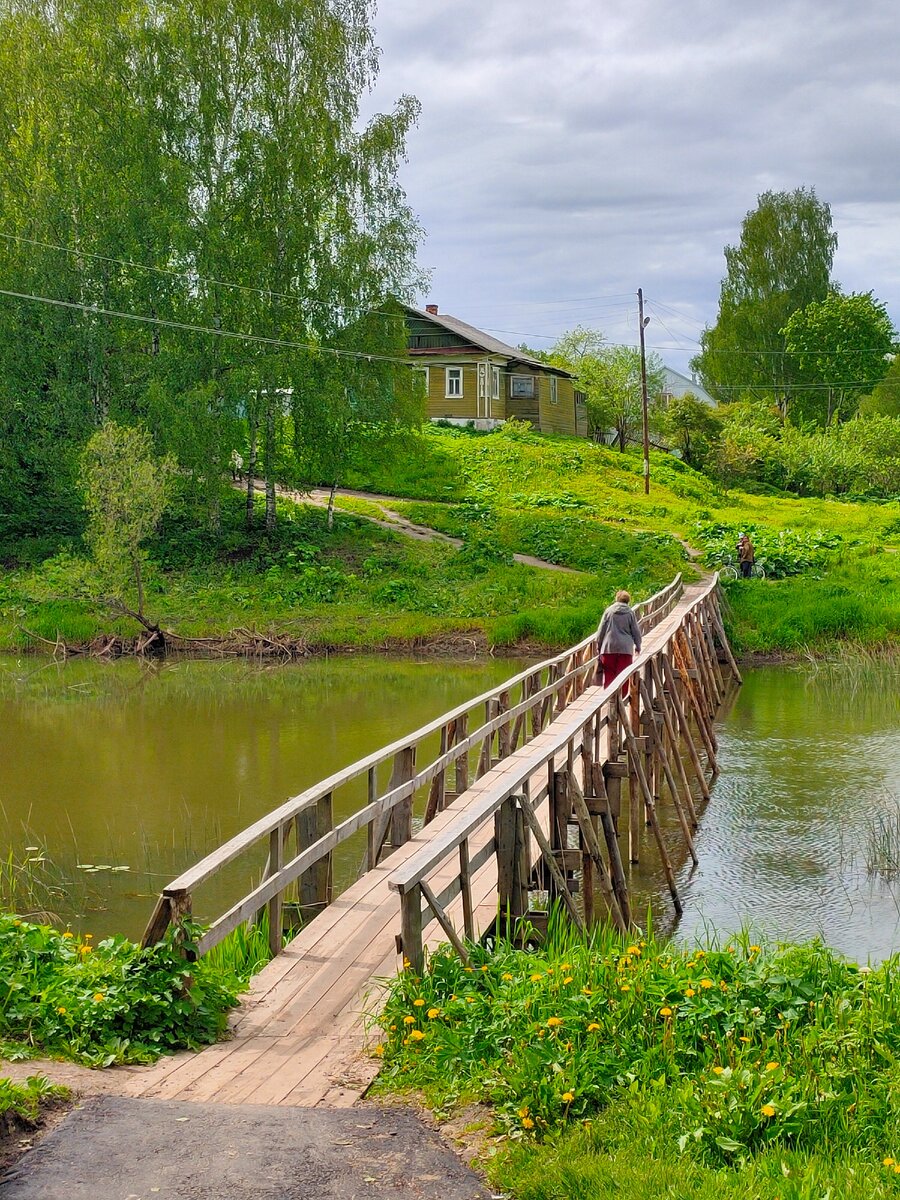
(302, 836)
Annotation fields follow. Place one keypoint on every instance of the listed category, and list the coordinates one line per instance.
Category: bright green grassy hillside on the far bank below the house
(833, 568)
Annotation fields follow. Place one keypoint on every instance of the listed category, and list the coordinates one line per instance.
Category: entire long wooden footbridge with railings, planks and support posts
(539, 789)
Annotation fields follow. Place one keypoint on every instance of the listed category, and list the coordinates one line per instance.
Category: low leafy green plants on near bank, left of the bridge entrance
(115, 1003)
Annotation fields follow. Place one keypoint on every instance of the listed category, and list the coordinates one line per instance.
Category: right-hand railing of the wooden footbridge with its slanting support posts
(653, 741)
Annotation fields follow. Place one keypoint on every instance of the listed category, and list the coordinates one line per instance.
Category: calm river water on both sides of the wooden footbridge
(148, 769)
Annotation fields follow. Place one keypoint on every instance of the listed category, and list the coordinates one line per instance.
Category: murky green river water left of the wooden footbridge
(142, 770)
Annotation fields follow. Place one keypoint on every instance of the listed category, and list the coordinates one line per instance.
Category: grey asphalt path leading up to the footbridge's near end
(117, 1149)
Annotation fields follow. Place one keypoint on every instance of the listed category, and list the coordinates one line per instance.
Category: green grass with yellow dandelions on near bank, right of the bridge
(643, 1070)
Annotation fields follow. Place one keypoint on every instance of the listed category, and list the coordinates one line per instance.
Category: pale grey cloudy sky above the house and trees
(571, 152)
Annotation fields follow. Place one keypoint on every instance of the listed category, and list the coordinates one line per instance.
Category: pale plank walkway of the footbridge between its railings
(299, 1036)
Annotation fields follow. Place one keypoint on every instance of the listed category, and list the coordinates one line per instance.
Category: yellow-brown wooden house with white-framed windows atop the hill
(471, 377)
